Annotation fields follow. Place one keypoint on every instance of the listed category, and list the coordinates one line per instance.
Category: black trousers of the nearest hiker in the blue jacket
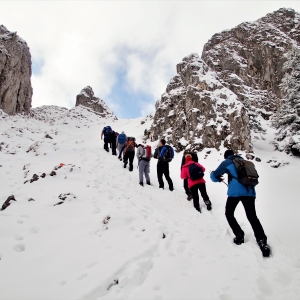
(249, 206)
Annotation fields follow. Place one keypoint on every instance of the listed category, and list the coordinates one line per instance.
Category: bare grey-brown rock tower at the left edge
(15, 73)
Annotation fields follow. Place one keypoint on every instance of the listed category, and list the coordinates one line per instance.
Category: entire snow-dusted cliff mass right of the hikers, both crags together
(222, 97)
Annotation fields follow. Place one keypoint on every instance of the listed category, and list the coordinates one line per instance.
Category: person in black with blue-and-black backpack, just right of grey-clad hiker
(164, 153)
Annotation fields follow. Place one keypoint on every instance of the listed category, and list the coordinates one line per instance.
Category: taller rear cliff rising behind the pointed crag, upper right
(249, 60)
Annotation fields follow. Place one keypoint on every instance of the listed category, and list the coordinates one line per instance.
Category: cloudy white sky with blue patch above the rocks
(126, 51)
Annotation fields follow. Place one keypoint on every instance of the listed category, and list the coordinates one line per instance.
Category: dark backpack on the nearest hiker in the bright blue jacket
(247, 174)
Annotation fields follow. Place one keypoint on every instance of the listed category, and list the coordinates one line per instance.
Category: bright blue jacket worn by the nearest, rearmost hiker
(235, 189)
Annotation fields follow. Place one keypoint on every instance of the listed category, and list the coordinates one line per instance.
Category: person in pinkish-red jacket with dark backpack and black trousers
(194, 172)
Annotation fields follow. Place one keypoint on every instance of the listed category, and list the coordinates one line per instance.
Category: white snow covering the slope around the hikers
(118, 240)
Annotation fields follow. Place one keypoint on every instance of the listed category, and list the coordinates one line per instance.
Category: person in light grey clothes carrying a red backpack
(144, 155)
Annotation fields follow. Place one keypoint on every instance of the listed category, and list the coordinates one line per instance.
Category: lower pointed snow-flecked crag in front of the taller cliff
(197, 111)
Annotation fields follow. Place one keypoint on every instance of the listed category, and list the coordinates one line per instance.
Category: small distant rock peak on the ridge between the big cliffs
(86, 98)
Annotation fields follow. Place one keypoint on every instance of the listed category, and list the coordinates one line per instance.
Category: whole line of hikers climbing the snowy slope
(242, 179)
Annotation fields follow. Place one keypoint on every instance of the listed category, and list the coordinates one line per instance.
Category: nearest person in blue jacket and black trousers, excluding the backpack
(239, 192)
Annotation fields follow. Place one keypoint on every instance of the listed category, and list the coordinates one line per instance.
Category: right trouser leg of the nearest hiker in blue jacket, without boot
(249, 205)
